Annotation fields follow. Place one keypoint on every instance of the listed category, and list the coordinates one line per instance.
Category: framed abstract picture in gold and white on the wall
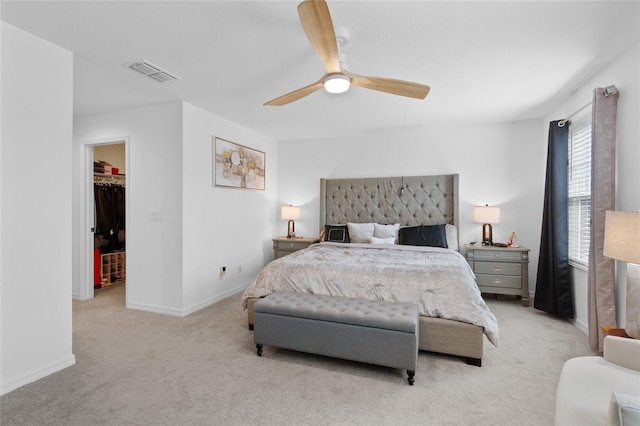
(237, 166)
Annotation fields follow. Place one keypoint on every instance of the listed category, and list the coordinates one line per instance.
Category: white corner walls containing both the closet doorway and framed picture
(173, 265)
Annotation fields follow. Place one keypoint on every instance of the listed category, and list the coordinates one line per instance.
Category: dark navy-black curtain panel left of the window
(553, 286)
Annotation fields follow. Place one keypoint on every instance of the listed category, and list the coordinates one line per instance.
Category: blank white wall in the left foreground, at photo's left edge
(35, 223)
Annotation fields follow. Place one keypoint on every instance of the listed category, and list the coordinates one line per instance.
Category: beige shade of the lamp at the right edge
(622, 236)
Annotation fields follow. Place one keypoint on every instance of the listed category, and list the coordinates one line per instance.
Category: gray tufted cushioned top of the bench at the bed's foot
(344, 310)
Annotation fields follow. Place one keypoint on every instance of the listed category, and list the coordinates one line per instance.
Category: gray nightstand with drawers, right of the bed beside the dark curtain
(501, 270)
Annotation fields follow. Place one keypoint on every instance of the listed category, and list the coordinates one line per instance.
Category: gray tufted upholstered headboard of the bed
(425, 200)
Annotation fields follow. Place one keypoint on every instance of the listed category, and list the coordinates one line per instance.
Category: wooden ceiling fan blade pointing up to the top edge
(316, 21)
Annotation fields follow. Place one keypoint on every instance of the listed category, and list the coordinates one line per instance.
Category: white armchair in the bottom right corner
(595, 390)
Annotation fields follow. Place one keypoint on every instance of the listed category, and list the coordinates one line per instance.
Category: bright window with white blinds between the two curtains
(579, 192)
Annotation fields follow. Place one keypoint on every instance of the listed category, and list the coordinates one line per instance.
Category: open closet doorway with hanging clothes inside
(106, 206)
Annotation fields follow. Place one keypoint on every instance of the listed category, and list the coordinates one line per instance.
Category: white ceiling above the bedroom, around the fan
(494, 61)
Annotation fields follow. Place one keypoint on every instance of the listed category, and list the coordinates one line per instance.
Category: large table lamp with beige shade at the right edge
(622, 242)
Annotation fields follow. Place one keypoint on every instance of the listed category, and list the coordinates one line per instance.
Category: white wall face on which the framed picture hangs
(222, 226)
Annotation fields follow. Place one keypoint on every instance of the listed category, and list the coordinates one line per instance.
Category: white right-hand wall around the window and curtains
(624, 72)
